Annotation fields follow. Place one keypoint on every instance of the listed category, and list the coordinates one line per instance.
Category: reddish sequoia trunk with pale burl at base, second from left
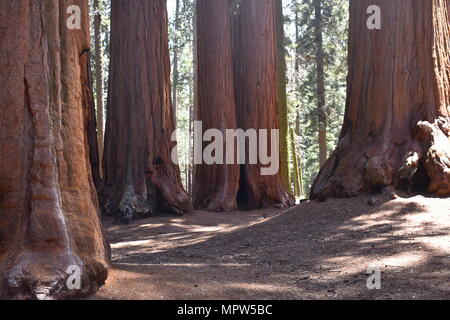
(140, 176)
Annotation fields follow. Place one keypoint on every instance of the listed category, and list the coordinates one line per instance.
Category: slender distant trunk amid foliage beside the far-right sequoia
(322, 116)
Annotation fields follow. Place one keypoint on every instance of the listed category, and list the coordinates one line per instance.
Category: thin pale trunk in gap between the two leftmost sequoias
(99, 80)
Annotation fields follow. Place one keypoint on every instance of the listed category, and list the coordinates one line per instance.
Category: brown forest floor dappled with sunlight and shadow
(317, 250)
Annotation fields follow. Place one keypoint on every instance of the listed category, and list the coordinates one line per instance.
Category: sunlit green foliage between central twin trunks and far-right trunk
(302, 98)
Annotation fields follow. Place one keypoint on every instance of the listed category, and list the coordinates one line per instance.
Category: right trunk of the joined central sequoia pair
(256, 94)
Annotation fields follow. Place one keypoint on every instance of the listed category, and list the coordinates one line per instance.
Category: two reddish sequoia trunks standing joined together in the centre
(237, 88)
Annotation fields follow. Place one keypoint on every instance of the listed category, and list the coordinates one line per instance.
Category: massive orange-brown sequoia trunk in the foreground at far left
(49, 217)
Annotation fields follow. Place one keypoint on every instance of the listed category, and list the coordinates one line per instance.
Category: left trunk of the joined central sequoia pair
(216, 185)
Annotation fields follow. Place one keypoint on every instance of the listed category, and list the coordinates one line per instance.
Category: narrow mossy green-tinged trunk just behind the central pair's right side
(282, 95)
